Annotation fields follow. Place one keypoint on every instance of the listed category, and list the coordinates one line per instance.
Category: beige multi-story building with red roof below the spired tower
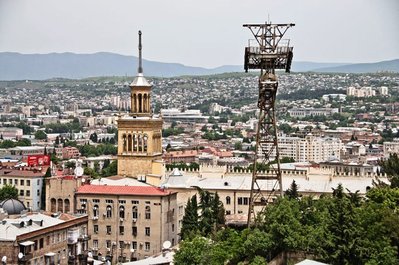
(128, 222)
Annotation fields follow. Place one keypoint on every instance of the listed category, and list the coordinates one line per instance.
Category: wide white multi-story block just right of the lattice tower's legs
(310, 148)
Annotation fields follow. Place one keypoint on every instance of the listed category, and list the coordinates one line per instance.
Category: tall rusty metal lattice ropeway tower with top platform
(268, 52)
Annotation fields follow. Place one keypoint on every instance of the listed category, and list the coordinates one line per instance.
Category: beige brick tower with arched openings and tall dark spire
(140, 133)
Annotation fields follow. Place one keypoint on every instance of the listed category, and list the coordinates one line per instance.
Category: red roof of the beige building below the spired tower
(121, 190)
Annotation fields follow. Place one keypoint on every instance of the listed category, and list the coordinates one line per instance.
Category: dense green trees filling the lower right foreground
(338, 229)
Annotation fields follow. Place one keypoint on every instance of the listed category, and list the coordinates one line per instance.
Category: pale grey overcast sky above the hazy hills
(206, 33)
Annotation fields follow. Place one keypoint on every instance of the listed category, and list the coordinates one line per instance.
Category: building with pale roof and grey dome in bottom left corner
(40, 238)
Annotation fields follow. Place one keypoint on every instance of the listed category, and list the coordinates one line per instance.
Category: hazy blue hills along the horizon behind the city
(16, 66)
